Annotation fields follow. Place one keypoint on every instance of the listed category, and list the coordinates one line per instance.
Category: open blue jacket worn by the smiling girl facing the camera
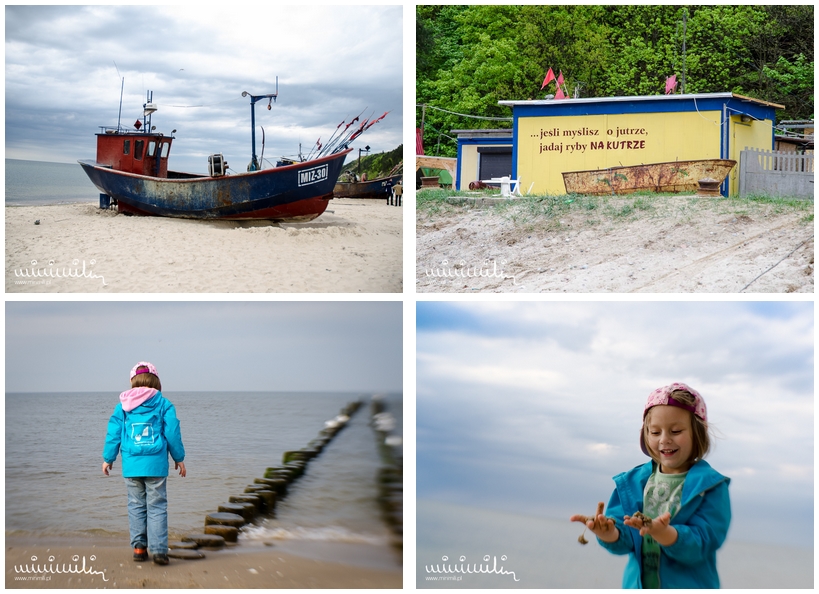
(702, 525)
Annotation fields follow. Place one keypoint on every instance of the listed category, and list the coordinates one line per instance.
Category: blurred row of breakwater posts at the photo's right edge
(391, 472)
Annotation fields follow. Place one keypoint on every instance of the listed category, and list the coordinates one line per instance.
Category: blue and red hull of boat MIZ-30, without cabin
(298, 192)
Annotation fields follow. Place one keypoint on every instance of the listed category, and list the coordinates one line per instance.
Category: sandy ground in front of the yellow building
(681, 244)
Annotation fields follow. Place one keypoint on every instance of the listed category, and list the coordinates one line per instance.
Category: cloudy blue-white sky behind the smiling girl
(534, 407)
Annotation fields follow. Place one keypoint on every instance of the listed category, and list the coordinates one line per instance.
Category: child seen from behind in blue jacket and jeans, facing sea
(145, 428)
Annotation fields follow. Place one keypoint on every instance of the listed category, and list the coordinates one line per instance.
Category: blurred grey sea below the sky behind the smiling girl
(544, 553)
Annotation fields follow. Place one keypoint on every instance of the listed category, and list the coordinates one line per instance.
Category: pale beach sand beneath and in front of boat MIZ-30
(356, 248)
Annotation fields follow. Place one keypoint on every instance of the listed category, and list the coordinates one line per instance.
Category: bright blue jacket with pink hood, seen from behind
(145, 434)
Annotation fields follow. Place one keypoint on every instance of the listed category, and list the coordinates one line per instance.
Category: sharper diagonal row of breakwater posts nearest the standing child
(259, 499)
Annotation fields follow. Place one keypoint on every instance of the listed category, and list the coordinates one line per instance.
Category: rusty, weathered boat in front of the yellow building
(675, 176)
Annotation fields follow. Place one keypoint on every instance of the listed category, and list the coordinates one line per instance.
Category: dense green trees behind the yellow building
(470, 57)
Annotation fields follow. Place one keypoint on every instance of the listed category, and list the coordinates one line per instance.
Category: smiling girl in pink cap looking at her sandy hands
(683, 504)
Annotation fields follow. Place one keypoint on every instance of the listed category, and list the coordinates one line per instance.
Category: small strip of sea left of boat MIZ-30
(34, 183)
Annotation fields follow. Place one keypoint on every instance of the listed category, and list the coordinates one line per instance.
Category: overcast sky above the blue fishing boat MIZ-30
(64, 66)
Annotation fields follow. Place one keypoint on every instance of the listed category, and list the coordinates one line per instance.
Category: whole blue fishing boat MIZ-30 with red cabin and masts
(131, 169)
